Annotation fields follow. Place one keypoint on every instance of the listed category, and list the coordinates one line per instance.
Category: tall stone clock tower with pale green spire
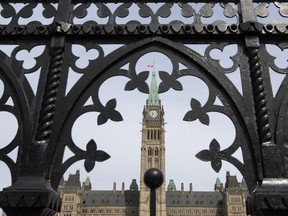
(152, 150)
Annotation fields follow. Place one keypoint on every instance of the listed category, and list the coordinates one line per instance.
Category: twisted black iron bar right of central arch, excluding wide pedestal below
(271, 165)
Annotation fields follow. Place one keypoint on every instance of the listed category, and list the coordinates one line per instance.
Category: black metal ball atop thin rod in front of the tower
(153, 178)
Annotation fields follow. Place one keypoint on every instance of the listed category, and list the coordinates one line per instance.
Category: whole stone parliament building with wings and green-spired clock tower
(79, 199)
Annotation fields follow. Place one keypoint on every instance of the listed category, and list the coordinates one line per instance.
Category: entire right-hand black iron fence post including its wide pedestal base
(270, 195)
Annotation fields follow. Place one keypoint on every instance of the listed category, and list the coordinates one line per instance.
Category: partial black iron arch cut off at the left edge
(21, 111)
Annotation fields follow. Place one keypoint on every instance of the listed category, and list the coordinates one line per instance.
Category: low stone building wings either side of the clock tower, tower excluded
(225, 200)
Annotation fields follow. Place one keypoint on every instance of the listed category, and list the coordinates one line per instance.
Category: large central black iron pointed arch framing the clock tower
(79, 93)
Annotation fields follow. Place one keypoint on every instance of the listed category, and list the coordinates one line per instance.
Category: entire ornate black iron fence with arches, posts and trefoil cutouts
(45, 115)
